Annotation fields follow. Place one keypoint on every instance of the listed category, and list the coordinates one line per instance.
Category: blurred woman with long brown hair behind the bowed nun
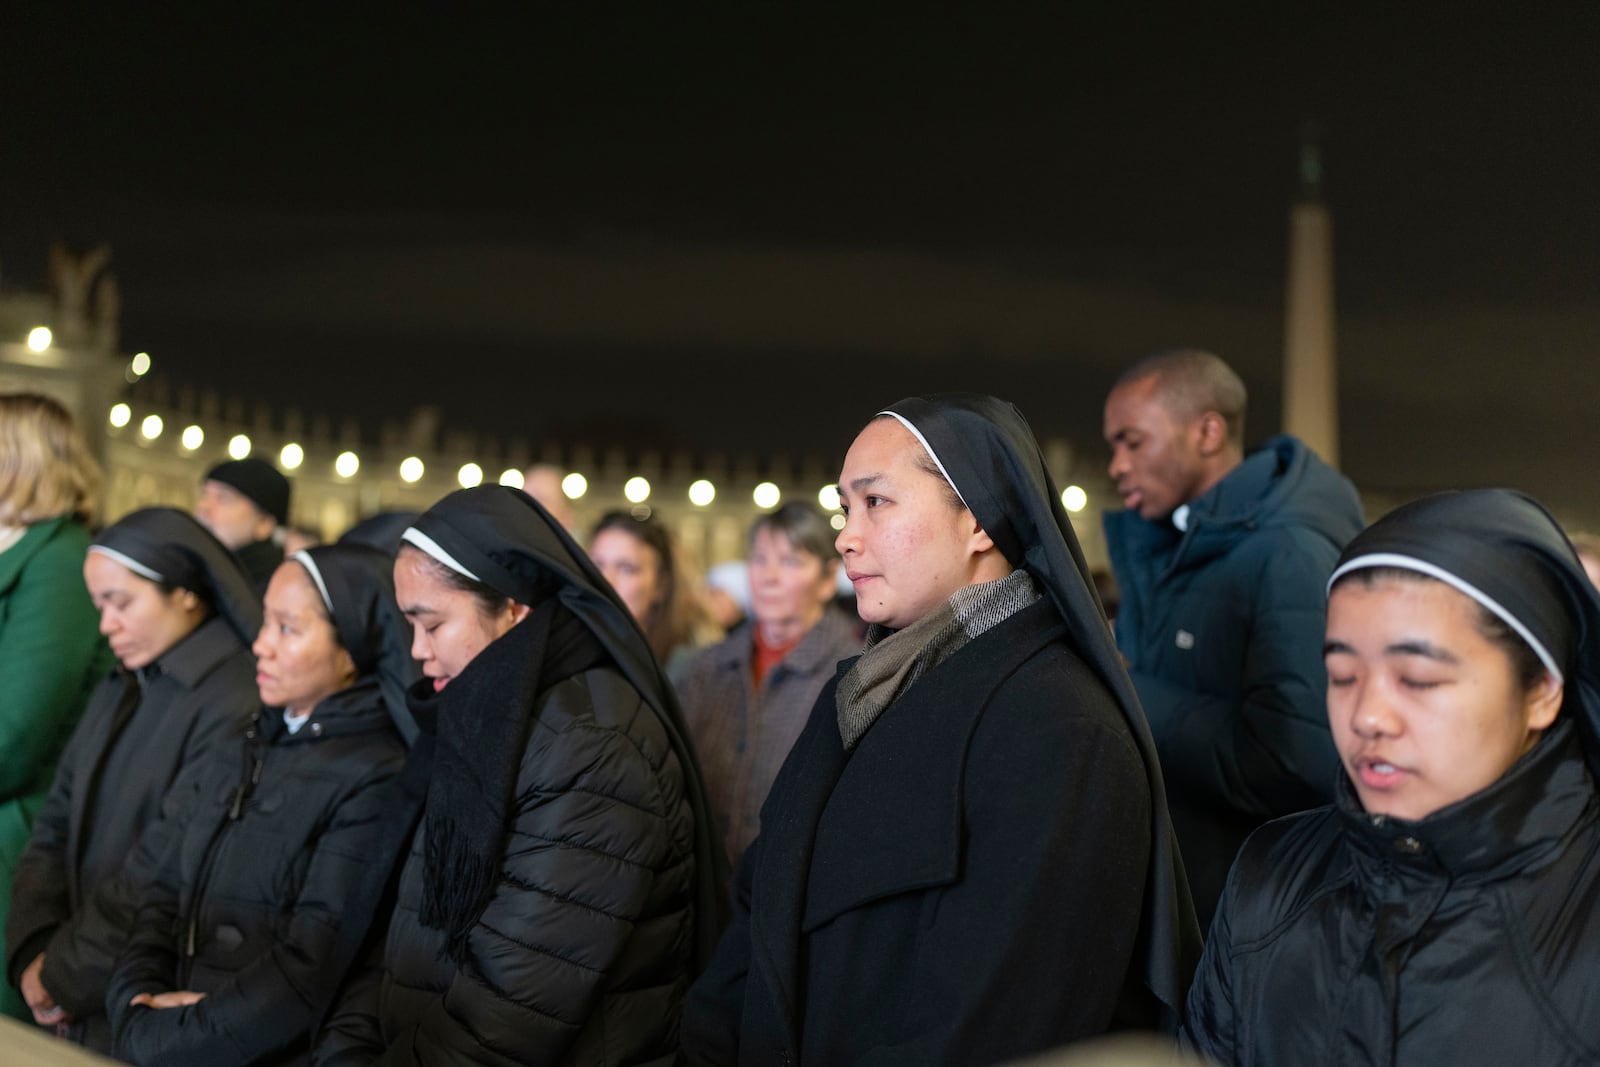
(642, 562)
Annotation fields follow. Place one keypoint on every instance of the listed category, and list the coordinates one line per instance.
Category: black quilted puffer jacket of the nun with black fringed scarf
(585, 951)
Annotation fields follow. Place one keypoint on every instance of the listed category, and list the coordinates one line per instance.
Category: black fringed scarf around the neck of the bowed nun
(482, 725)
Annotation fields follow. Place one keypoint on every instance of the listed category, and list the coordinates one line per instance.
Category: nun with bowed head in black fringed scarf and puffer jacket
(562, 885)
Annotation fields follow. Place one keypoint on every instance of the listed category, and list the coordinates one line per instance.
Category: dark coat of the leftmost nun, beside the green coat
(196, 698)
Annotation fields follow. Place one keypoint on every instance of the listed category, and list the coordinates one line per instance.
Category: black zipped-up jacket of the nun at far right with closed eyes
(1468, 938)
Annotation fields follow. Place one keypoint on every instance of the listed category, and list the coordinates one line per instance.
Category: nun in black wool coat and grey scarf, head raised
(967, 855)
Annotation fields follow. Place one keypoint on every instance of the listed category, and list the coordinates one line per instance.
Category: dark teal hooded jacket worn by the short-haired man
(1222, 626)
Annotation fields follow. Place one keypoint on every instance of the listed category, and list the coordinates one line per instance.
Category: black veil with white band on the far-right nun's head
(1506, 548)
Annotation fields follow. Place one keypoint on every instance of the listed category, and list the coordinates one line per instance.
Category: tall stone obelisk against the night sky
(1311, 383)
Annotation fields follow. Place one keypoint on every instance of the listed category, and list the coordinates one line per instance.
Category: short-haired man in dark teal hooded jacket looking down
(1222, 559)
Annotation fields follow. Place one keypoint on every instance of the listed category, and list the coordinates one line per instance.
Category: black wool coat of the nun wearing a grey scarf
(964, 887)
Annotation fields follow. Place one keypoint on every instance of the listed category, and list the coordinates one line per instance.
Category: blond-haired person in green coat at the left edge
(52, 653)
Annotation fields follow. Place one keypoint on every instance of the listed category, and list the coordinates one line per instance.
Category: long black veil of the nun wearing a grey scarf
(993, 460)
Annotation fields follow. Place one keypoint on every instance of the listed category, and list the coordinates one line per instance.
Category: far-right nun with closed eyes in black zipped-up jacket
(1446, 909)
